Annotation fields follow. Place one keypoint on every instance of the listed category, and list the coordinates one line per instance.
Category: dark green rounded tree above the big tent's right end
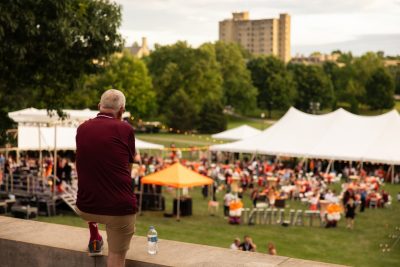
(380, 90)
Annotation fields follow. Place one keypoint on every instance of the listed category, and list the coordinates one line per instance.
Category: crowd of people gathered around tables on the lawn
(268, 182)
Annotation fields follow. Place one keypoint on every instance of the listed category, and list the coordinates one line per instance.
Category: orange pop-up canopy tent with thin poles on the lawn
(176, 176)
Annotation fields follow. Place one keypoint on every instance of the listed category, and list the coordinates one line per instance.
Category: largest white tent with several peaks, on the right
(339, 135)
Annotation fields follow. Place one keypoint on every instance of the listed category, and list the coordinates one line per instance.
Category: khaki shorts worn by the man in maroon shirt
(120, 229)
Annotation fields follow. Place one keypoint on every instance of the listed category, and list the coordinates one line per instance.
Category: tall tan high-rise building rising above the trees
(261, 36)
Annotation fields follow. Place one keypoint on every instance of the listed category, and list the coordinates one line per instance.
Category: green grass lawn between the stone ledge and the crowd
(358, 247)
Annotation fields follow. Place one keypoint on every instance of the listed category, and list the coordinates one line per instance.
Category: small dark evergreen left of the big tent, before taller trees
(212, 118)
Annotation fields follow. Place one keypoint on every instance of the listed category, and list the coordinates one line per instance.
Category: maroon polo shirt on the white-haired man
(105, 147)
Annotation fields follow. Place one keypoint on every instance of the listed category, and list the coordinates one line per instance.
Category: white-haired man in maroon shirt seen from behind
(105, 152)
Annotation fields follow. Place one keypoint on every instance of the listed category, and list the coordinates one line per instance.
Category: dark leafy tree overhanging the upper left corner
(48, 46)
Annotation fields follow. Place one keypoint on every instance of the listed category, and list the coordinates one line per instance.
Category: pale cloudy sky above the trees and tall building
(317, 25)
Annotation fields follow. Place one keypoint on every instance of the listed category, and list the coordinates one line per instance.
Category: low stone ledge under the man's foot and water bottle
(31, 243)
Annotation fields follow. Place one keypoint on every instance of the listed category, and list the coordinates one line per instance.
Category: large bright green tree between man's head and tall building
(194, 73)
